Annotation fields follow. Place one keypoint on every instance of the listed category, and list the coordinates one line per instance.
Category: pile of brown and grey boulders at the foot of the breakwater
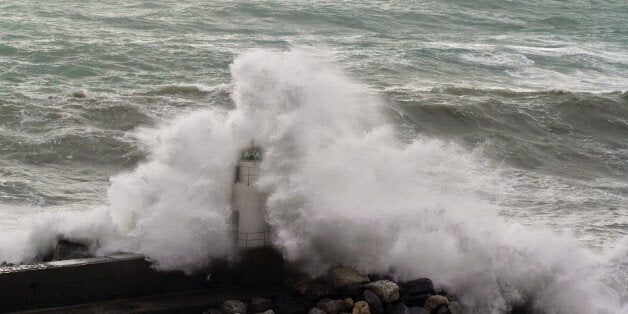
(344, 290)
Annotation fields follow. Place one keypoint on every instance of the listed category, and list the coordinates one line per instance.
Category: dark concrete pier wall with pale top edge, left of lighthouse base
(87, 280)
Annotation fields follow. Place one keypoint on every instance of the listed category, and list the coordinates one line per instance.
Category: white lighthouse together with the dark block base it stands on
(261, 265)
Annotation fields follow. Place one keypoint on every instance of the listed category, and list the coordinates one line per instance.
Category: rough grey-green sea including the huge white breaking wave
(483, 144)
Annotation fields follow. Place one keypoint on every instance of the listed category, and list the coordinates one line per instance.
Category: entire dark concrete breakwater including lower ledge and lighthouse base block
(78, 282)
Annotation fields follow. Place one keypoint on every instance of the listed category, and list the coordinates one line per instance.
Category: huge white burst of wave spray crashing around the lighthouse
(343, 189)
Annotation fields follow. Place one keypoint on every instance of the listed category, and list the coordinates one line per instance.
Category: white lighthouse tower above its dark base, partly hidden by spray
(248, 202)
